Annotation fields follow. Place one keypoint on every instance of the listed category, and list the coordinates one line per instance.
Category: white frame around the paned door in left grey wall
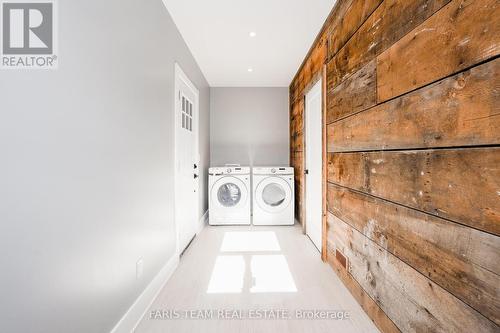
(180, 75)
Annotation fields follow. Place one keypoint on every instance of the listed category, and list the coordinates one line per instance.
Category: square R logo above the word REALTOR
(28, 28)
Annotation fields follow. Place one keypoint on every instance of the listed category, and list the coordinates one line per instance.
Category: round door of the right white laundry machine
(273, 194)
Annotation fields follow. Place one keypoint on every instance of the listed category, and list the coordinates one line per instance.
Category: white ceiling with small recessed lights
(217, 33)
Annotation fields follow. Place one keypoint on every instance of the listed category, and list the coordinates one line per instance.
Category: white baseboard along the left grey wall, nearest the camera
(133, 316)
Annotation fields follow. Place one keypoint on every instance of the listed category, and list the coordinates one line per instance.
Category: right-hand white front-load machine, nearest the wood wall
(273, 196)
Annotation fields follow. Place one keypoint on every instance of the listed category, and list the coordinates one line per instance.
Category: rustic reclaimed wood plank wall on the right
(413, 173)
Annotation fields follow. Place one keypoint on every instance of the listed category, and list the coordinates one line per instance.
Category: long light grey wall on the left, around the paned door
(86, 172)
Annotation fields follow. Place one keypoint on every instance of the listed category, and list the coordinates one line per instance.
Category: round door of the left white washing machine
(229, 192)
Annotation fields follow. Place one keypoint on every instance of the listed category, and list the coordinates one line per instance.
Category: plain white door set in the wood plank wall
(314, 156)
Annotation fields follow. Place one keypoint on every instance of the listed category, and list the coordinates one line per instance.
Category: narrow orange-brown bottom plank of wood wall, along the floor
(379, 318)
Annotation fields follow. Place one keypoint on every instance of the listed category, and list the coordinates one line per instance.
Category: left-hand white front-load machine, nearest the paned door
(229, 196)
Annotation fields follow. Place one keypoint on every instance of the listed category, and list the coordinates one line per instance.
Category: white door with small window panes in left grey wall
(186, 159)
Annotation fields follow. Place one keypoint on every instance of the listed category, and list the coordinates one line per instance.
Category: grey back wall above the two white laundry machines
(249, 126)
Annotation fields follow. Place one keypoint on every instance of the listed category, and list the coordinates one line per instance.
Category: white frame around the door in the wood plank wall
(319, 83)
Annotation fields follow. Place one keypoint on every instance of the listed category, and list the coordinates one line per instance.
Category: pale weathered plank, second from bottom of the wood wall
(411, 300)
